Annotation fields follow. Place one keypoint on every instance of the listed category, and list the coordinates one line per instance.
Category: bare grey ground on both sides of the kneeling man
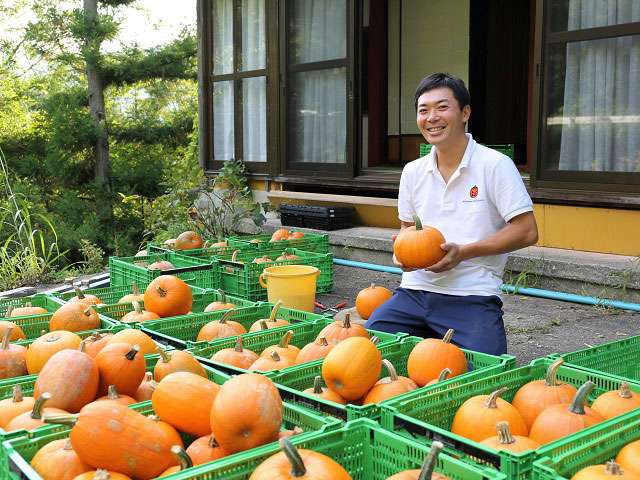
(535, 327)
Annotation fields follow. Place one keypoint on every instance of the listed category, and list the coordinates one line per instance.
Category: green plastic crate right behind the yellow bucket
(241, 277)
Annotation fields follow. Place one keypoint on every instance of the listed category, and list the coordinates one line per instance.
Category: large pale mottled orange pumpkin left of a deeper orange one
(71, 376)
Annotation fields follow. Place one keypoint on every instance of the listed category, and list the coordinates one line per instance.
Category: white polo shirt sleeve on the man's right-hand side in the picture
(510, 195)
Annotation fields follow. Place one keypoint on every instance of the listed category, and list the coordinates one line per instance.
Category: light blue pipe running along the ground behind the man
(532, 292)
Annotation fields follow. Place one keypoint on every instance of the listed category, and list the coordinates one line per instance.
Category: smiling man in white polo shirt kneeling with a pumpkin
(475, 196)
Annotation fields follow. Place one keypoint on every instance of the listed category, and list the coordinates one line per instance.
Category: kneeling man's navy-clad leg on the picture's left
(404, 312)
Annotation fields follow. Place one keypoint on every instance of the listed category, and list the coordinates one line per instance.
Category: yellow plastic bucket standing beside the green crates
(294, 285)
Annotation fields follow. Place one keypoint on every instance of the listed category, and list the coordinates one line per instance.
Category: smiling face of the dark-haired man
(440, 118)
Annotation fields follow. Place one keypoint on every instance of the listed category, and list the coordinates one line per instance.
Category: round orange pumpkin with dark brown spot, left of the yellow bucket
(168, 296)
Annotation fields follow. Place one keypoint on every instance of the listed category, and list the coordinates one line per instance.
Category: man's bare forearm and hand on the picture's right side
(521, 231)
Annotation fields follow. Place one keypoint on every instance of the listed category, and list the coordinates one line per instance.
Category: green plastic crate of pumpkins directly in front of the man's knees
(296, 379)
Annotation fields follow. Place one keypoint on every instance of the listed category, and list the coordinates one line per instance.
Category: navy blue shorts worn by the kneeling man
(476, 319)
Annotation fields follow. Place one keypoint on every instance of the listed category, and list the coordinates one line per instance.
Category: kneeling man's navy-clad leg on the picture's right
(477, 321)
